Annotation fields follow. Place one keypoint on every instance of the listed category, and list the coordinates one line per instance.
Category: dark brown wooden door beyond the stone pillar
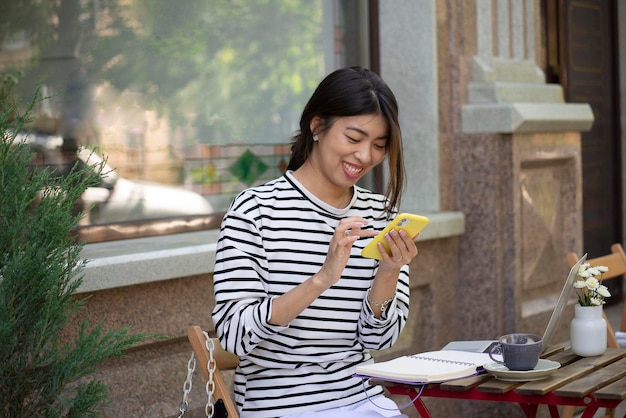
(582, 57)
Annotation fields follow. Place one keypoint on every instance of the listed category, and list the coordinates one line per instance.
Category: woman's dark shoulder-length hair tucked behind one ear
(351, 92)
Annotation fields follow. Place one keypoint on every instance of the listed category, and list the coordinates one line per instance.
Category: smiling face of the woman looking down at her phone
(350, 148)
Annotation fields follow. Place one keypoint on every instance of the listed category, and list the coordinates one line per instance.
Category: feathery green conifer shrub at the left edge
(43, 372)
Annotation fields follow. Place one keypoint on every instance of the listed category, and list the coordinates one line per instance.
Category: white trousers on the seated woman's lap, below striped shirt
(376, 407)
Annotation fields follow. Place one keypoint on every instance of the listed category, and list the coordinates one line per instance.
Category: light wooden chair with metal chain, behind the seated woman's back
(223, 360)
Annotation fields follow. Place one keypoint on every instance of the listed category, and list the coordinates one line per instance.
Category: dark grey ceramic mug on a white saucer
(519, 351)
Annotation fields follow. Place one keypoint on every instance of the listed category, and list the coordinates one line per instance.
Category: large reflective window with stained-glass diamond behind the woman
(188, 102)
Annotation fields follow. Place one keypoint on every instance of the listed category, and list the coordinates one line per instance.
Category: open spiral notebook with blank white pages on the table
(428, 367)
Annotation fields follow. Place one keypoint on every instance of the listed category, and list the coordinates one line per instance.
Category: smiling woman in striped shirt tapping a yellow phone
(294, 297)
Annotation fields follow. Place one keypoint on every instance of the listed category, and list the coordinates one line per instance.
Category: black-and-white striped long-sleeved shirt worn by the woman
(272, 238)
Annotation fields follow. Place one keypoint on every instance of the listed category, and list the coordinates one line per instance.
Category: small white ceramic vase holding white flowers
(588, 331)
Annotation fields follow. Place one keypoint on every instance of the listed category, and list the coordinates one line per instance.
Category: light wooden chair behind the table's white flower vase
(616, 262)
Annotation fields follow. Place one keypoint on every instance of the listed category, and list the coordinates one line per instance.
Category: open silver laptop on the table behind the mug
(484, 346)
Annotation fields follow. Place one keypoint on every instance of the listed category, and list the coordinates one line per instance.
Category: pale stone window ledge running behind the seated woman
(122, 263)
